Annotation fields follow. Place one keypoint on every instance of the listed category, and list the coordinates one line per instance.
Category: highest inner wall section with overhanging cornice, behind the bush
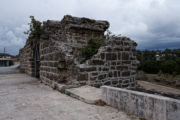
(79, 31)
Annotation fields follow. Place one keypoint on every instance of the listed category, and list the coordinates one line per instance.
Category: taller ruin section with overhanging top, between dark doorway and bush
(61, 44)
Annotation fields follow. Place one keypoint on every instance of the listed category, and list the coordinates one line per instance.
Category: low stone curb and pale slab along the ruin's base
(87, 94)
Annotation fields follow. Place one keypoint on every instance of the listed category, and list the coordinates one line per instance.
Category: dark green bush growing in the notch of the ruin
(92, 48)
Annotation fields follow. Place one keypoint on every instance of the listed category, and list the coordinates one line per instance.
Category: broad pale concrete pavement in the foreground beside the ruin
(24, 98)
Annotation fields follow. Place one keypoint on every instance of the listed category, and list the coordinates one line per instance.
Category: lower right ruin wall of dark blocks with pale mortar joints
(115, 64)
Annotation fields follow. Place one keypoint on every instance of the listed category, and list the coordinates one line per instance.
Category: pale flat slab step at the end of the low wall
(87, 94)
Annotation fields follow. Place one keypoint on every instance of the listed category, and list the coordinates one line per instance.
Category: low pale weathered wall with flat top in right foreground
(150, 107)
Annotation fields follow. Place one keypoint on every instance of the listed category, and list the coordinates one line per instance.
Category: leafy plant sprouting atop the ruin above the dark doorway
(34, 31)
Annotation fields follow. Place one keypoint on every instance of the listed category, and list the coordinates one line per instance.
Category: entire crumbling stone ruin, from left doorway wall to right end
(56, 57)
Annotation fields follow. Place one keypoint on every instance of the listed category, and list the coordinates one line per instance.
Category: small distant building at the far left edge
(5, 60)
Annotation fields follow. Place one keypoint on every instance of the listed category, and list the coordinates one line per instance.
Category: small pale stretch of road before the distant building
(9, 70)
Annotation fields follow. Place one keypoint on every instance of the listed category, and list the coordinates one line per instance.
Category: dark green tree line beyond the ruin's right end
(155, 61)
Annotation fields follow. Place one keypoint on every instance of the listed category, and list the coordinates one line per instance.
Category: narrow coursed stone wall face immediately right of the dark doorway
(49, 53)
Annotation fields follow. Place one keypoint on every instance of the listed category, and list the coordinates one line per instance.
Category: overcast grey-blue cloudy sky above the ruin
(153, 24)
